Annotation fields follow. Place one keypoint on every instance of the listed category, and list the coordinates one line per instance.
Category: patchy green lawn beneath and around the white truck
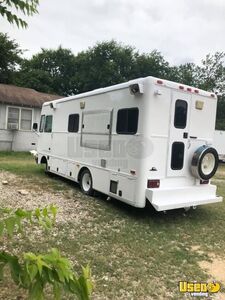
(133, 253)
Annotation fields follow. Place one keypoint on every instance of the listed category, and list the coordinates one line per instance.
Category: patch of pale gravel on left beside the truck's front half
(69, 208)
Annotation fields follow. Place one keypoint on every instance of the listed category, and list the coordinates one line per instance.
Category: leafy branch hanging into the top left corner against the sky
(26, 7)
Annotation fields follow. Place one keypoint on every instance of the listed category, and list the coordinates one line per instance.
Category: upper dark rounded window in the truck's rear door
(180, 117)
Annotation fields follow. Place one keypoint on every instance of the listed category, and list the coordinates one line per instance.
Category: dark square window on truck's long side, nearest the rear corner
(127, 121)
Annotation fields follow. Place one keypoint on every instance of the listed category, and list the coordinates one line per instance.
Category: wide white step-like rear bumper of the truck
(172, 198)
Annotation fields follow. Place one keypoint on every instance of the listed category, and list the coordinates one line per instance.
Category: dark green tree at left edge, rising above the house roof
(9, 58)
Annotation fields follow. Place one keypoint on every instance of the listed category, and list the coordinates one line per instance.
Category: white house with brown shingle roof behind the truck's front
(19, 109)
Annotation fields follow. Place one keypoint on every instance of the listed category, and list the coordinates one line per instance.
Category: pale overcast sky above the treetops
(183, 30)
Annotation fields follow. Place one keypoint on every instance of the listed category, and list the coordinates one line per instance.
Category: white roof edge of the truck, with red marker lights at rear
(154, 80)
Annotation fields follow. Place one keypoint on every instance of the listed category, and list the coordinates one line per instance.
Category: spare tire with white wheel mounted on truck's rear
(204, 162)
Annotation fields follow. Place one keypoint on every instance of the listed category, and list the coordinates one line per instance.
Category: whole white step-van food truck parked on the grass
(144, 140)
